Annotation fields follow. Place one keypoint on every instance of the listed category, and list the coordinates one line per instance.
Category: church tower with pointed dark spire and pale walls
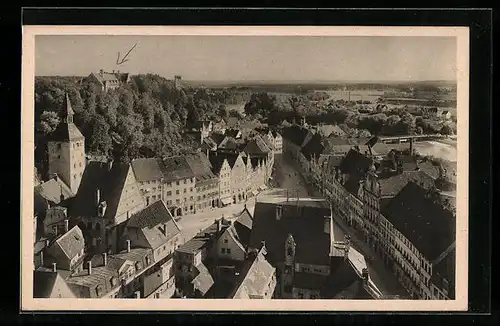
(66, 147)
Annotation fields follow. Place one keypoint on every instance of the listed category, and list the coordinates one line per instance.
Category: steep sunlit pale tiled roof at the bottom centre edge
(256, 279)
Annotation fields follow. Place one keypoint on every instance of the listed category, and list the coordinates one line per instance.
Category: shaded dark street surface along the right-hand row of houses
(291, 178)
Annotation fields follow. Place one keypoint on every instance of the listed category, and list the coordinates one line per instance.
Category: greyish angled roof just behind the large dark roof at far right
(392, 185)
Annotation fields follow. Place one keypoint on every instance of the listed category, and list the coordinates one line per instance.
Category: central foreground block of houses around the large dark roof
(289, 248)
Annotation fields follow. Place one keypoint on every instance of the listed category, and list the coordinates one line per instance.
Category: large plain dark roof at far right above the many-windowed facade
(429, 226)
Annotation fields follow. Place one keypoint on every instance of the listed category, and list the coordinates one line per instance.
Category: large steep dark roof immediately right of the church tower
(110, 182)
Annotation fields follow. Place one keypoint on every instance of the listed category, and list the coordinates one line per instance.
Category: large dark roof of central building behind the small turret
(303, 222)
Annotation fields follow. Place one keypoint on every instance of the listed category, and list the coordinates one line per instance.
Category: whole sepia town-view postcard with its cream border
(308, 165)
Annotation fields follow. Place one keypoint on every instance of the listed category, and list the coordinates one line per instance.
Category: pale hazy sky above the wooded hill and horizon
(252, 58)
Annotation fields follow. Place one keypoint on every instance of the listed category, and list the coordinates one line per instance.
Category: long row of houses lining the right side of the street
(391, 198)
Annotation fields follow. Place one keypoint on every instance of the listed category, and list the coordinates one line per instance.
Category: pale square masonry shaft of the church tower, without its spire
(67, 160)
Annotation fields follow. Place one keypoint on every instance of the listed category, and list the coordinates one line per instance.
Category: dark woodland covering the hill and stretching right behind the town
(147, 117)
